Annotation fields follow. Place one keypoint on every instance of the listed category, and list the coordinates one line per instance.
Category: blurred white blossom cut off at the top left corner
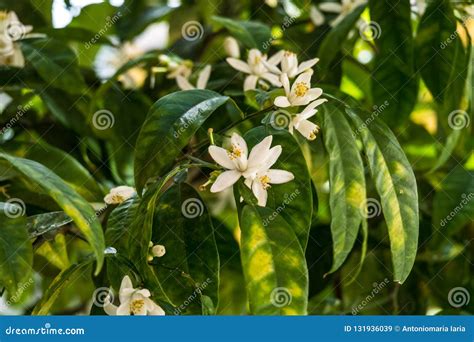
(11, 30)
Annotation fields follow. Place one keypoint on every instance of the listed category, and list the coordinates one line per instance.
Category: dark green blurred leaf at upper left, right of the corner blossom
(55, 62)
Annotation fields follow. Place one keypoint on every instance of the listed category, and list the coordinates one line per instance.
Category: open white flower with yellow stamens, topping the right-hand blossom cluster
(300, 93)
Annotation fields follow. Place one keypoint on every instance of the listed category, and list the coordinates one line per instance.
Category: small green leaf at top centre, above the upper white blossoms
(254, 35)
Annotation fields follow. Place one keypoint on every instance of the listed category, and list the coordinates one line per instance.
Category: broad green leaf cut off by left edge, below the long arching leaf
(16, 251)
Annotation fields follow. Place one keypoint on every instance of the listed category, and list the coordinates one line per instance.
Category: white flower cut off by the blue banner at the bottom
(133, 302)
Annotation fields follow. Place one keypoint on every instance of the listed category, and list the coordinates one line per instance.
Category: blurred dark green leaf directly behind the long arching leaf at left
(63, 164)
